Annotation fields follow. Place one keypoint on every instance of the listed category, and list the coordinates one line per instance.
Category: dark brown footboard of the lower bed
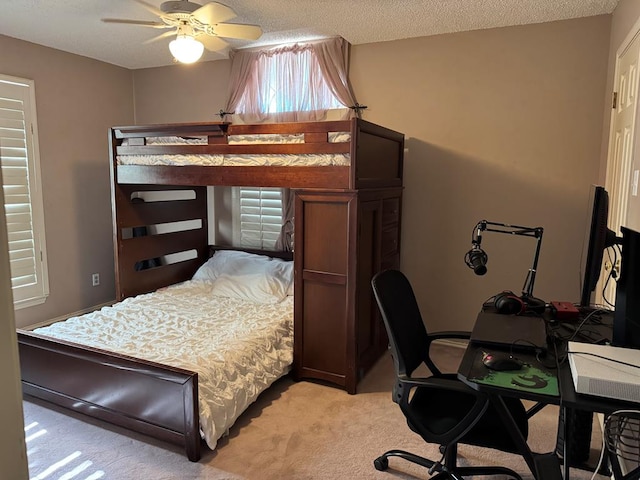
(146, 397)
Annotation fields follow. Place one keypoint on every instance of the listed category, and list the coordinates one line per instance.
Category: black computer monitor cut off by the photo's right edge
(626, 318)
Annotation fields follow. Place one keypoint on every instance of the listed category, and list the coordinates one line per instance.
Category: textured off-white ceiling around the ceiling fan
(74, 25)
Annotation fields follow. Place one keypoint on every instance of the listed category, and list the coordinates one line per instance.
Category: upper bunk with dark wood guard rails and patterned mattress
(346, 154)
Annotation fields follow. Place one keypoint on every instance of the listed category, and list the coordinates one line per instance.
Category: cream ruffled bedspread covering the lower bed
(238, 348)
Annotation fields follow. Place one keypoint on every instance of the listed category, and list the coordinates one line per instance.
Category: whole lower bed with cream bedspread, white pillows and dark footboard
(179, 364)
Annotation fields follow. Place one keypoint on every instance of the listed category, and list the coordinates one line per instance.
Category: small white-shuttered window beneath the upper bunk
(258, 218)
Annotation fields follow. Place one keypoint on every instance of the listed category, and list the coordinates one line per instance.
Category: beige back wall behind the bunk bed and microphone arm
(503, 124)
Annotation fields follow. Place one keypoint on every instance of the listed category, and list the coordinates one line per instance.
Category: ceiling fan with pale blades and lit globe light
(194, 26)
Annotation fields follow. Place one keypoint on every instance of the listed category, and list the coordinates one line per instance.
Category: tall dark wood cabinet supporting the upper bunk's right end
(342, 240)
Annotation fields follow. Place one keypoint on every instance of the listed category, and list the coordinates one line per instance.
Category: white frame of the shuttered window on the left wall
(37, 292)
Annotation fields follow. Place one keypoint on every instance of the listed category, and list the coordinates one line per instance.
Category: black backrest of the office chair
(407, 333)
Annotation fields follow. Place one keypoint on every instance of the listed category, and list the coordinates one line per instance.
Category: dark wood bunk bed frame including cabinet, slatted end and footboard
(347, 224)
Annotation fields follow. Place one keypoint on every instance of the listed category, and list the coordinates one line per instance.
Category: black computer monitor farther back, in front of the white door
(597, 239)
